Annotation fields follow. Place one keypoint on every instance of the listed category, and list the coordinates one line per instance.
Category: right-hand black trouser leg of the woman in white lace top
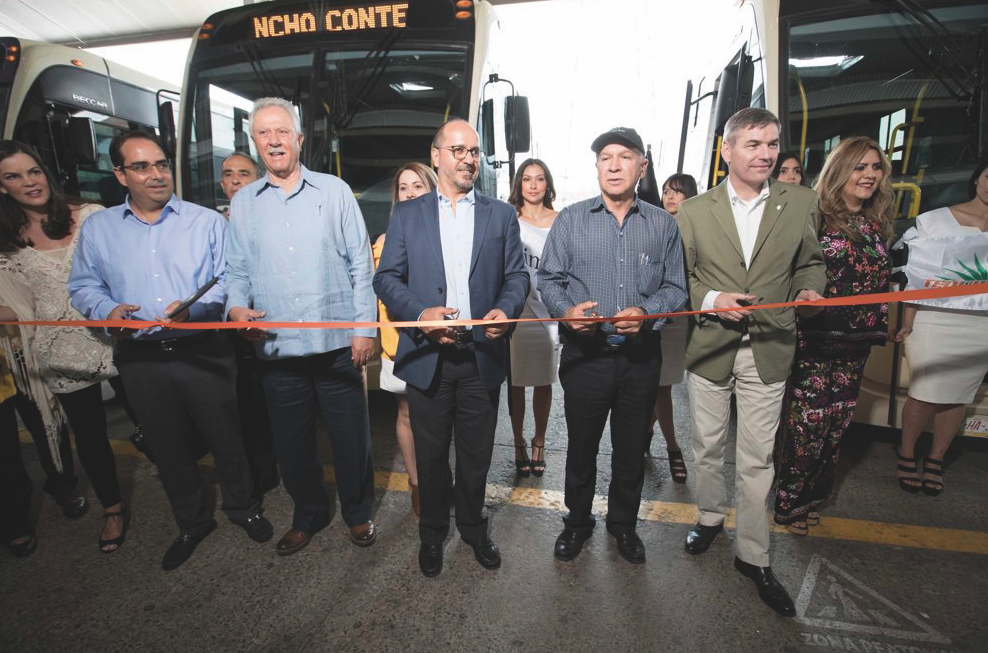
(86, 416)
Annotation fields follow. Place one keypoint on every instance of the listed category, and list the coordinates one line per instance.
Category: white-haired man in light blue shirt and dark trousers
(297, 250)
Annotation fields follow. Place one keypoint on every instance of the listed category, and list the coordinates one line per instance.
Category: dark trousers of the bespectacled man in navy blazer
(457, 401)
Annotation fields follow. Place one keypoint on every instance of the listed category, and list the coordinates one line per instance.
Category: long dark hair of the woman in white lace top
(13, 219)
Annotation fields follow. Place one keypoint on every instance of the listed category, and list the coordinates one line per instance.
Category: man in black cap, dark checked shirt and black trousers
(613, 255)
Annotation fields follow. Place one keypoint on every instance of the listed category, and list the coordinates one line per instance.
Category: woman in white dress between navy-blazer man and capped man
(534, 358)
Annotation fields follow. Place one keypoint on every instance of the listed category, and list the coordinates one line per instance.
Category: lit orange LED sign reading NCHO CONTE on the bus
(340, 19)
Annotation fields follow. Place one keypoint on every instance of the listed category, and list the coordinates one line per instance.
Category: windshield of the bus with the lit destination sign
(365, 111)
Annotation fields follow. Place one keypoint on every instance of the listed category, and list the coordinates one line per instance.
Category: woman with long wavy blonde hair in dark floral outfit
(855, 222)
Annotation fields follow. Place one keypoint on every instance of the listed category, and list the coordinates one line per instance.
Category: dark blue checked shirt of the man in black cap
(589, 256)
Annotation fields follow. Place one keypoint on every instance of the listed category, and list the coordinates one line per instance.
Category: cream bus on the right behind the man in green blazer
(913, 76)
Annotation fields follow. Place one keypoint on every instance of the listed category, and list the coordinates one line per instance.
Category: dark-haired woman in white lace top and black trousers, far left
(38, 229)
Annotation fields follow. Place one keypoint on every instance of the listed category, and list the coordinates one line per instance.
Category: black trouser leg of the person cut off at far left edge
(15, 484)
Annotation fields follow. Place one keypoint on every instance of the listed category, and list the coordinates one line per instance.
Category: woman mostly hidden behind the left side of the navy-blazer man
(412, 180)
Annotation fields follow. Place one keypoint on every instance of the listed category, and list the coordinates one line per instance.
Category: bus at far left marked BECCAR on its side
(68, 104)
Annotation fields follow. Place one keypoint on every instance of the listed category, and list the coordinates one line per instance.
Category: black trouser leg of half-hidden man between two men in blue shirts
(255, 425)
